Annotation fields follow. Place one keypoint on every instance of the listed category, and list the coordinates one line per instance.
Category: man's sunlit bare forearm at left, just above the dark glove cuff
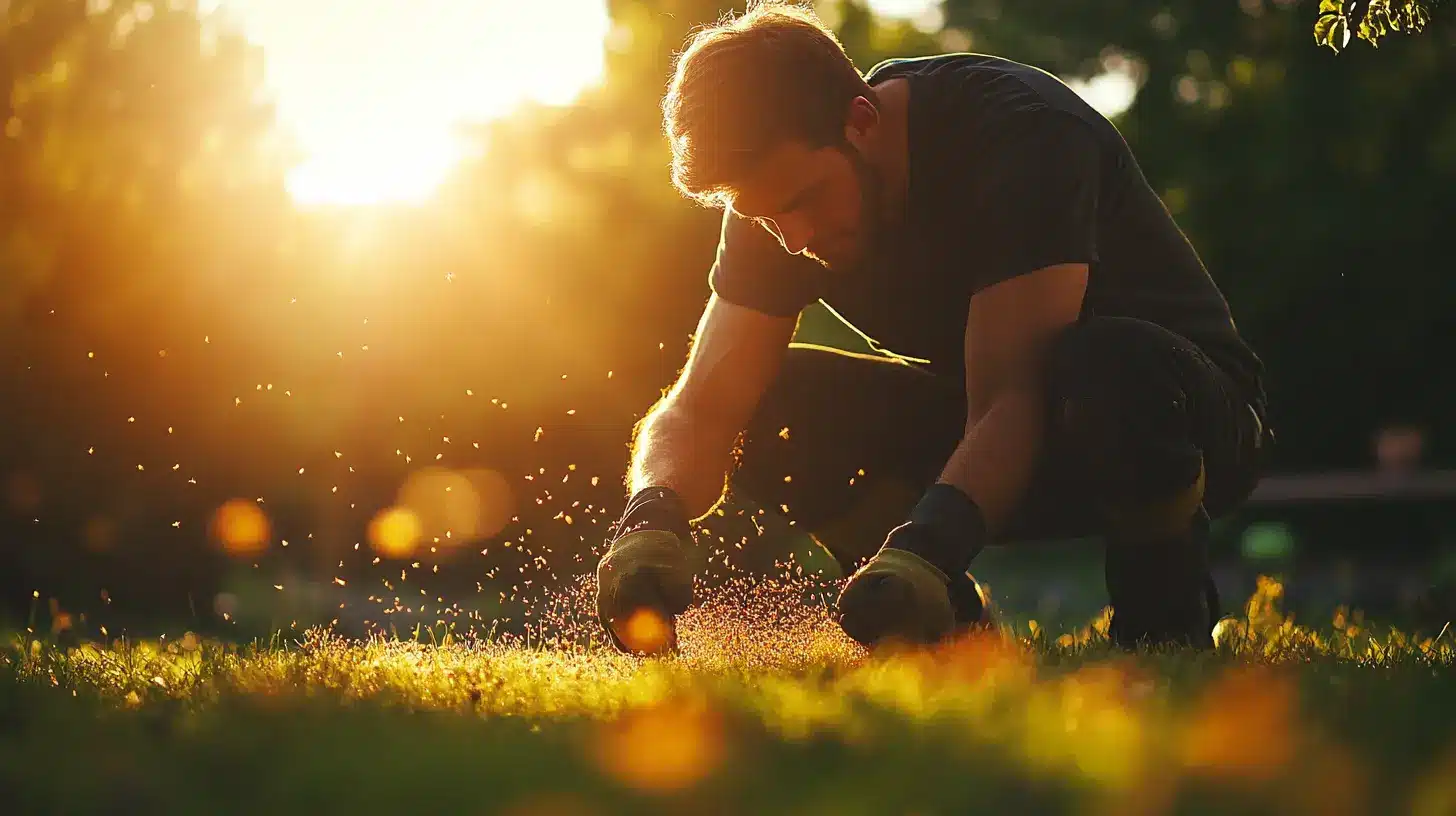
(684, 451)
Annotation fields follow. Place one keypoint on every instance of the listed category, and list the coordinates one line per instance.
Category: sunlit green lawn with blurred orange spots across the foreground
(767, 710)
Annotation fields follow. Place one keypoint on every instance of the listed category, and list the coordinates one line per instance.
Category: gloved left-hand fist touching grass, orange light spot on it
(643, 584)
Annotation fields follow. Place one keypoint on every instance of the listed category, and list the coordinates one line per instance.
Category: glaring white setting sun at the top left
(375, 90)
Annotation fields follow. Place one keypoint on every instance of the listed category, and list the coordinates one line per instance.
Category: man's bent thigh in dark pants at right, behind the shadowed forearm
(1132, 412)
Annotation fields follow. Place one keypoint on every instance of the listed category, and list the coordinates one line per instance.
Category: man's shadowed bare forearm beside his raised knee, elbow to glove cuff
(997, 460)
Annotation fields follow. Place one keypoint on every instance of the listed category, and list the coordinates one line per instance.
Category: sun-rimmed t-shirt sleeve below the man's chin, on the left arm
(753, 270)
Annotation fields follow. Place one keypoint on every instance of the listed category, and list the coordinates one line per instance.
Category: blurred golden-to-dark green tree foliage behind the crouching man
(177, 331)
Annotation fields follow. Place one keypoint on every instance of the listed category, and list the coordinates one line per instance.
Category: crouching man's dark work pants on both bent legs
(1132, 409)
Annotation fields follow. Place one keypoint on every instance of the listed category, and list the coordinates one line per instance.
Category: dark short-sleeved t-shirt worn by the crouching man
(1010, 173)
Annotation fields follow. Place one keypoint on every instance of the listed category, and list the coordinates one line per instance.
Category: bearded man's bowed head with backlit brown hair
(768, 116)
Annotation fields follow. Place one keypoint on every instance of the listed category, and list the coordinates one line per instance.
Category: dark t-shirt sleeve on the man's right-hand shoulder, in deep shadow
(1037, 190)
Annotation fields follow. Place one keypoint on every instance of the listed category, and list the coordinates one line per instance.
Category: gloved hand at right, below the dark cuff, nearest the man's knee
(898, 595)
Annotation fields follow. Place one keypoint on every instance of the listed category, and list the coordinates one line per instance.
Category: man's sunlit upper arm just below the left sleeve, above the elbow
(736, 355)
